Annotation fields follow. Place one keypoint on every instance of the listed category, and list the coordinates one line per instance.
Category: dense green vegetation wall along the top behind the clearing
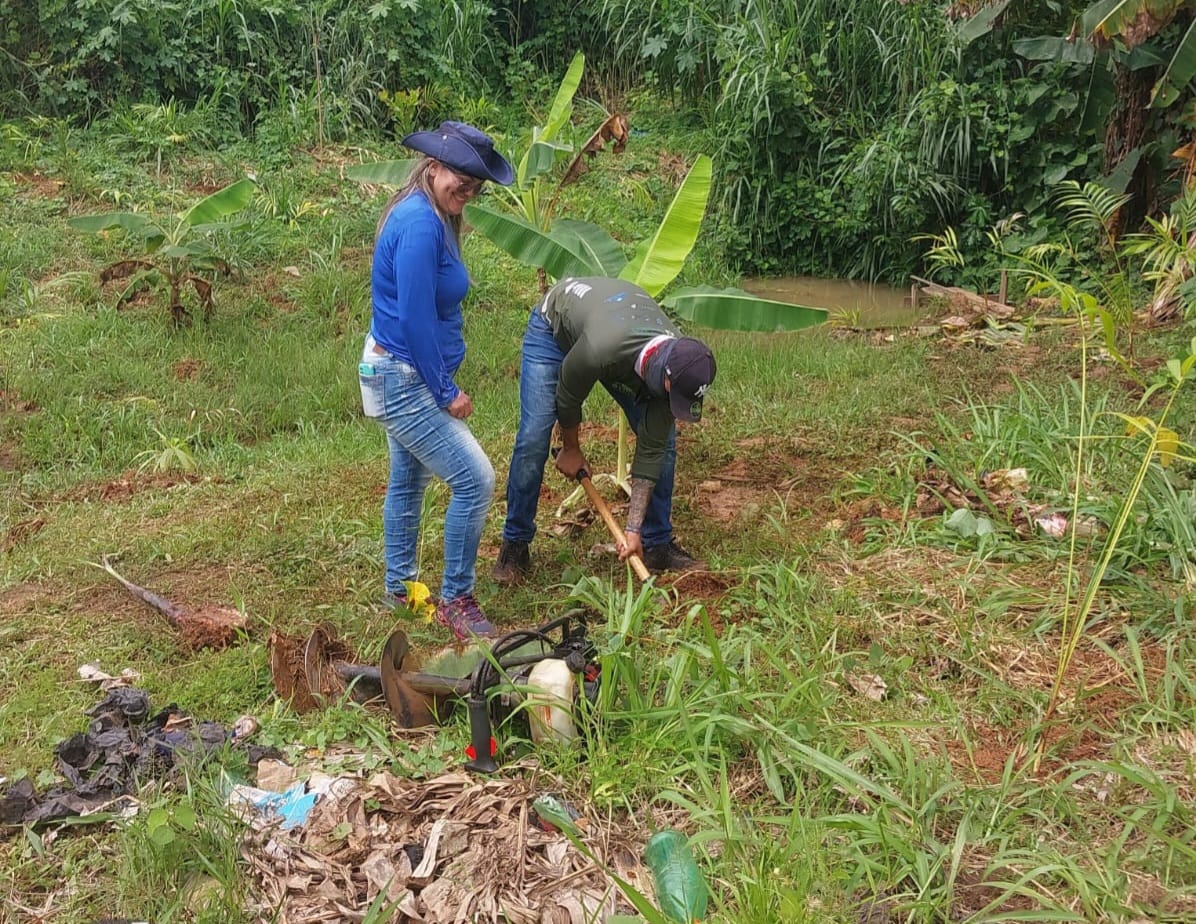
(840, 130)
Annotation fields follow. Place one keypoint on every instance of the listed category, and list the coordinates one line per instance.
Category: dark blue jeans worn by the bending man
(539, 374)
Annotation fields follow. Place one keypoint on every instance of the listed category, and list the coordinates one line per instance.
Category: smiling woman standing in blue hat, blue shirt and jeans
(413, 352)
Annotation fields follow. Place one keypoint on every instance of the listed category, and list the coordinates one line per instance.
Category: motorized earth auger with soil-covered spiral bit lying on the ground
(528, 686)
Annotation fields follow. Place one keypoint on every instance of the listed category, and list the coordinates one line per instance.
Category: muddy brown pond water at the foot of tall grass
(851, 303)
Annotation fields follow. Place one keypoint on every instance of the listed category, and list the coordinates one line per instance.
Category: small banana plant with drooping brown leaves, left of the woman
(174, 252)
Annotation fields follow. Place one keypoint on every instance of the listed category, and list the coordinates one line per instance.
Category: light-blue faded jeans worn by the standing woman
(425, 440)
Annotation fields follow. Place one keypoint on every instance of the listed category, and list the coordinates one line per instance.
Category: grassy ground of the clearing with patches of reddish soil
(733, 709)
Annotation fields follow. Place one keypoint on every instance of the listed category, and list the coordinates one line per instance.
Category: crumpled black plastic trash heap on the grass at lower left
(102, 768)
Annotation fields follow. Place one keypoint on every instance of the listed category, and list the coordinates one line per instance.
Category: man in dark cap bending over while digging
(605, 331)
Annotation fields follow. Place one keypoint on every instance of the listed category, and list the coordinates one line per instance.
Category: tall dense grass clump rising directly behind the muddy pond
(844, 130)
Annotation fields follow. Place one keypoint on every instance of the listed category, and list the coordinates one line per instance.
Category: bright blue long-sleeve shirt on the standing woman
(418, 283)
